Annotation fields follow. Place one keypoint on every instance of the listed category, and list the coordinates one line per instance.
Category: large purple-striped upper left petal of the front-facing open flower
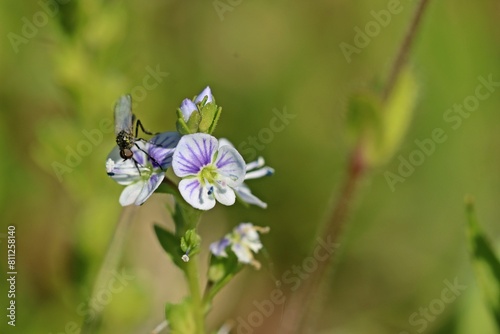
(193, 153)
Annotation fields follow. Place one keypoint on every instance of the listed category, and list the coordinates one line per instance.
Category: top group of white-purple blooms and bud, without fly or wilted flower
(211, 170)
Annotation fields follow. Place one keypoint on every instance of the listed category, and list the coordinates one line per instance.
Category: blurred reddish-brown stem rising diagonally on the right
(299, 311)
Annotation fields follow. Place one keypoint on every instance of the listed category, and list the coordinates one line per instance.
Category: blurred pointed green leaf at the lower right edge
(485, 262)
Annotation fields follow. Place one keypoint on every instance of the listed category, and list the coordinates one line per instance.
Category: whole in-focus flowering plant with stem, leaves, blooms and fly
(206, 170)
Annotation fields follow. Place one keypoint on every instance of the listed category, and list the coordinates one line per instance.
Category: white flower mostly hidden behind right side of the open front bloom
(254, 170)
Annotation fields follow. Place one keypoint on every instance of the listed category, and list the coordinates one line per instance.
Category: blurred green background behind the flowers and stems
(65, 73)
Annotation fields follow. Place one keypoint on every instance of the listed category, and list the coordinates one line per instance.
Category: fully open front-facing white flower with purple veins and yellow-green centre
(208, 173)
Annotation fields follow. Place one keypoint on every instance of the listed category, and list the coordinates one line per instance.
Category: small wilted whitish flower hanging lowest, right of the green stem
(244, 241)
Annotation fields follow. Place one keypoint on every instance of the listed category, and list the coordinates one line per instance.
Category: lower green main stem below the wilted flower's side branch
(193, 278)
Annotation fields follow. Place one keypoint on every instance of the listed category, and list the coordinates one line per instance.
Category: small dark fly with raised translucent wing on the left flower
(124, 128)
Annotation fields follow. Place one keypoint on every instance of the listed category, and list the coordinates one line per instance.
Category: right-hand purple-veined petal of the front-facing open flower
(230, 165)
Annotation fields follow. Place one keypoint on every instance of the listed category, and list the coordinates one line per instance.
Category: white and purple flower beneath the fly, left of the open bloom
(144, 172)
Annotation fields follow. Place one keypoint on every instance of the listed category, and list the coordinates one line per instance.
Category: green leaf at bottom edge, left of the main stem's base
(180, 317)
